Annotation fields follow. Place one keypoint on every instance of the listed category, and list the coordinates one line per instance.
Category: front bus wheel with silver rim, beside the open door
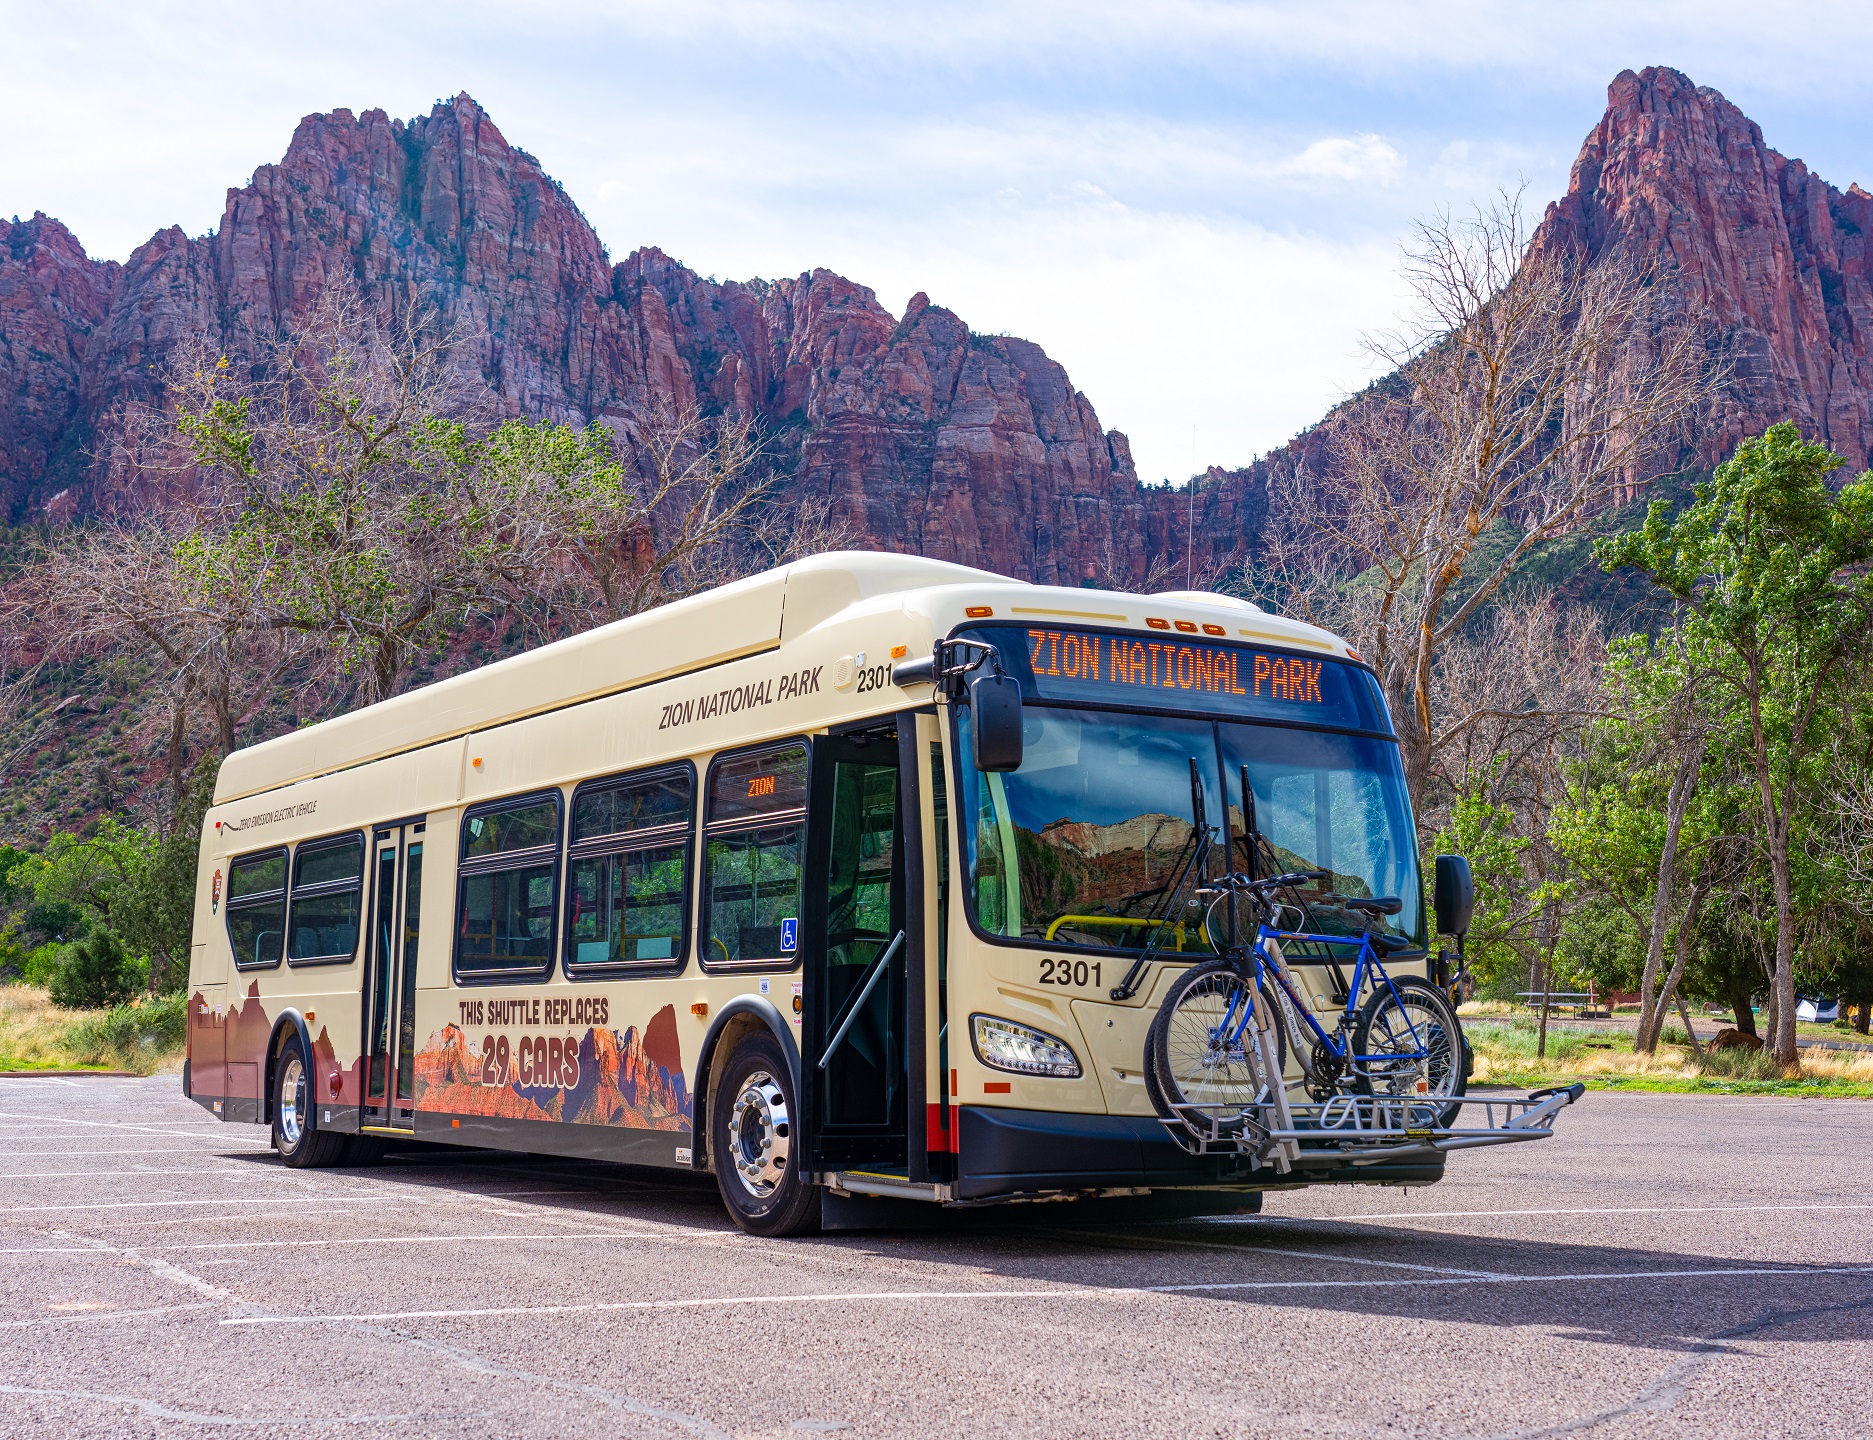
(758, 1143)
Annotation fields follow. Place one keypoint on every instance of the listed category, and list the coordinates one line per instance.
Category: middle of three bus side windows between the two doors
(628, 883)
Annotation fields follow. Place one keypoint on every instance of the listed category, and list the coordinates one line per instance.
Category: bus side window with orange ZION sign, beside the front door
(756, 857)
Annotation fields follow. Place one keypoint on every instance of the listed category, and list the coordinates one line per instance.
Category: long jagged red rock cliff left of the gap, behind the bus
(932, 439)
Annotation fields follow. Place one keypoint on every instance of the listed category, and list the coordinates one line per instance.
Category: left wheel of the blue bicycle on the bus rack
(1202, 1046)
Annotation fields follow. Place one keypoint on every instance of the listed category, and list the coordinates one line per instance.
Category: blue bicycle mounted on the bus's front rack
(1220, 1040)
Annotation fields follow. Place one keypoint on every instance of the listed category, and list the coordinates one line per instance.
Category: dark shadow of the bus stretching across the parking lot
(1674, 1300)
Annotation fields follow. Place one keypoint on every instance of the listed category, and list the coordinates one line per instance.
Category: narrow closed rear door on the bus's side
(391, 977)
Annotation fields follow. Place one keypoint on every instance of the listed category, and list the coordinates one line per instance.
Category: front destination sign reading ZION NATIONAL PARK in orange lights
(1187, 675)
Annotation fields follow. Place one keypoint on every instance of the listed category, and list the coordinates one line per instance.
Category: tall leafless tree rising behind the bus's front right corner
(1533, 387)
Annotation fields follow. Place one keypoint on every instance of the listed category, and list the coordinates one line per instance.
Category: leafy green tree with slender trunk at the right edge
(1771, 566)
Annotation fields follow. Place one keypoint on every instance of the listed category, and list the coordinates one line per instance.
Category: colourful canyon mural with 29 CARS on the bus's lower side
(604, 1078)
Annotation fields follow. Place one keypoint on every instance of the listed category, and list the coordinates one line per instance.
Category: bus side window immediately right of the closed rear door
(507, 896)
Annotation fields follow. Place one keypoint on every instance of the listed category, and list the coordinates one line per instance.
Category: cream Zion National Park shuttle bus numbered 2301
(825, 883)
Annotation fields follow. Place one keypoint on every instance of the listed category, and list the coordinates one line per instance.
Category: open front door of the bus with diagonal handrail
(857, 954)
